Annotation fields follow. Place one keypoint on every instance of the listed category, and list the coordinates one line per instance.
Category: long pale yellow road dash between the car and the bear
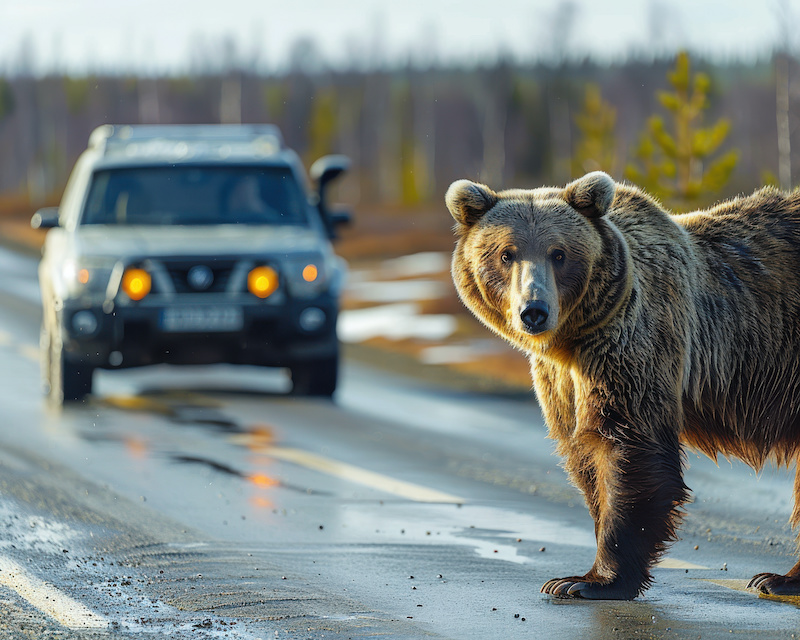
(352, 473)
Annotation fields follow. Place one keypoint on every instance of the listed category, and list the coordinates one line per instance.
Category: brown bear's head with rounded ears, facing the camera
(524, 258)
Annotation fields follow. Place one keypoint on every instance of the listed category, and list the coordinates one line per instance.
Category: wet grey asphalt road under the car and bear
(206, 503)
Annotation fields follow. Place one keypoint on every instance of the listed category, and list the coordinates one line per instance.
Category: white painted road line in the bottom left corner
(66, 611)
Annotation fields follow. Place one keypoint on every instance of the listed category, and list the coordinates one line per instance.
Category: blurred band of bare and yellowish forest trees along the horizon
(411, 131)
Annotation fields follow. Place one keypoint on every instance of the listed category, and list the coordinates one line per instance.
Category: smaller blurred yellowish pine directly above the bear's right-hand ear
(595, 150)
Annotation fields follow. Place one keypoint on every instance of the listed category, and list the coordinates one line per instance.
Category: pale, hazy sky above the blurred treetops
(175, 36)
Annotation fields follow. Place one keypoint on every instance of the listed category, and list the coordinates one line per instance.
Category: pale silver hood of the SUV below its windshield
(121, 242)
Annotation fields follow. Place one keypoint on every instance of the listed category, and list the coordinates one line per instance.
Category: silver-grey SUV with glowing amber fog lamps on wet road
(191, 245)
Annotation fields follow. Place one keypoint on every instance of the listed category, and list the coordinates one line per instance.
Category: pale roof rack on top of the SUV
(184, 141)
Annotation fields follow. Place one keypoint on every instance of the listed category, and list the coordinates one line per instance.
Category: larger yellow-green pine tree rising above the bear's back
(677, 166)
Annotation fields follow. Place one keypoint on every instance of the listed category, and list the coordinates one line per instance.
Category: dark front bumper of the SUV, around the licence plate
(274, 333)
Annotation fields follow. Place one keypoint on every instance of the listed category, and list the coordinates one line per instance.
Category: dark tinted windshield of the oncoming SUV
(195, 195)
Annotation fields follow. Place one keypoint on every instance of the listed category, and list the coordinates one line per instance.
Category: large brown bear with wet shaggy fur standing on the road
(646, 331)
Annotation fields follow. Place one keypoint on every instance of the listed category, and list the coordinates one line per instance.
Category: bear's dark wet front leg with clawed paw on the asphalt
(634, 488)
